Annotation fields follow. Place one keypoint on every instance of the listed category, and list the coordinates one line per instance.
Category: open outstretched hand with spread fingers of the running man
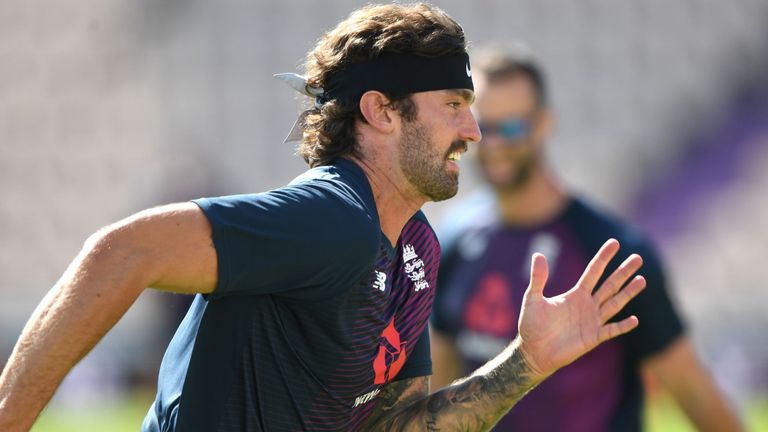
(555, 331)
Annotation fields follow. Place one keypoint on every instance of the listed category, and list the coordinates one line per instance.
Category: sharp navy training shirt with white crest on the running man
(314, 312)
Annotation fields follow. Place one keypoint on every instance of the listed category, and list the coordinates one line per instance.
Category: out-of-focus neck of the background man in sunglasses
(540, 200)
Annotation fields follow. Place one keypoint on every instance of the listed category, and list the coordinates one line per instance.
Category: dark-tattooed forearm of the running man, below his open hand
(475, 403)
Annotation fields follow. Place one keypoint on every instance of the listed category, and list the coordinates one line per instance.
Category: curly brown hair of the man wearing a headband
(419, 29)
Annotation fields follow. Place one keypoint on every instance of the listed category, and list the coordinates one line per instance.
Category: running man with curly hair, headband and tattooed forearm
(312, 300)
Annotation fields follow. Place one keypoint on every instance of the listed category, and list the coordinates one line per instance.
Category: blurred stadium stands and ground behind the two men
(107, 108)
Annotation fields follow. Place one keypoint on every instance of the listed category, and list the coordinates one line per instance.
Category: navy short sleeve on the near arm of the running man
(297, 241)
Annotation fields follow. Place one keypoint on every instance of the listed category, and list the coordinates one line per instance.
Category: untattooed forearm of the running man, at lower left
(91, 296)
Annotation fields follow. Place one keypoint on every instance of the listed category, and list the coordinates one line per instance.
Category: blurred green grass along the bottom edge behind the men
(661, 416)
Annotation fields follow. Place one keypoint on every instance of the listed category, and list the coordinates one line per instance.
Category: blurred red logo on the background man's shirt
(490, 308)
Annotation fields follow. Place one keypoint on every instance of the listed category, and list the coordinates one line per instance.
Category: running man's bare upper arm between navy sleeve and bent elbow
(171, 244)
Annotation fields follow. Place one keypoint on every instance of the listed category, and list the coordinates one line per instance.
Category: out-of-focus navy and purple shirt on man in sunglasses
(484, 274)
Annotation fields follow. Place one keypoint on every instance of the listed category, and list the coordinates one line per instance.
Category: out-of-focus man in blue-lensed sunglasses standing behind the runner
(483, 275)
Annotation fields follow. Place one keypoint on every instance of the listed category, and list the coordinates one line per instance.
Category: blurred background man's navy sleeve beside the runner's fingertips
(660, 324)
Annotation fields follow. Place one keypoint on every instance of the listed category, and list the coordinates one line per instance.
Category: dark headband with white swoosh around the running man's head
(397, 75)
